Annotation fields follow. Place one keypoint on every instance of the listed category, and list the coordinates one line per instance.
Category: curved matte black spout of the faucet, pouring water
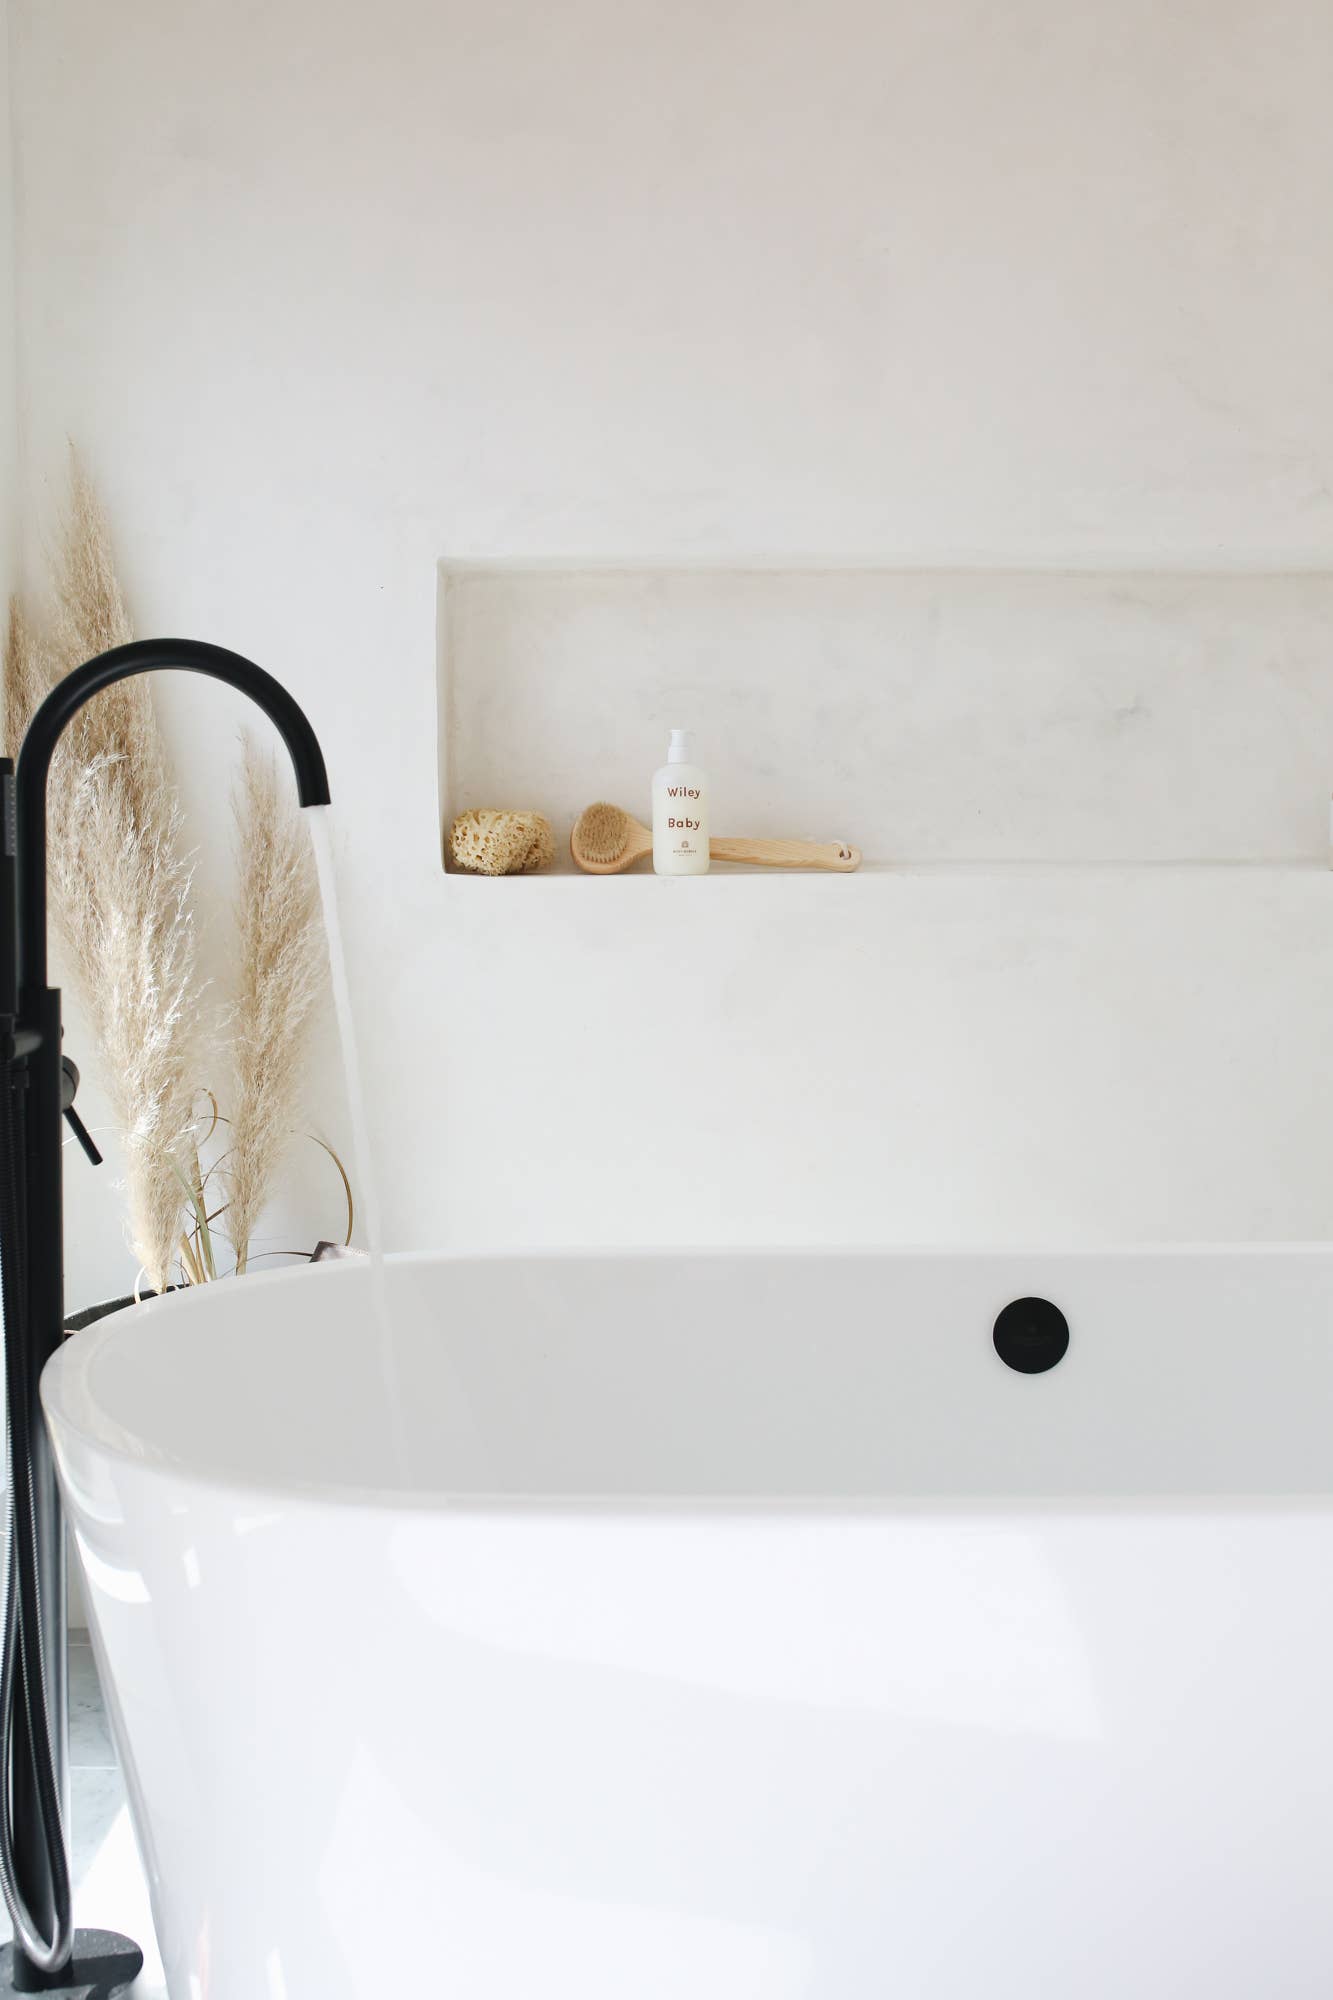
(141, 657)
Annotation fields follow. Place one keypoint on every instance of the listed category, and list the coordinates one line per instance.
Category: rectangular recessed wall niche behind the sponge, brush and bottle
(928, 717)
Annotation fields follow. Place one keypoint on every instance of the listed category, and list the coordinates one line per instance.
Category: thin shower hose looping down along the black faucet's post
(23, 1671)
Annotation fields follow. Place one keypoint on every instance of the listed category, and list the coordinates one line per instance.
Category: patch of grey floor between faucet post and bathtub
(109, 1883)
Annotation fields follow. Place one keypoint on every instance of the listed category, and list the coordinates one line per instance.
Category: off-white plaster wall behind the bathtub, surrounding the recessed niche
(329, 295)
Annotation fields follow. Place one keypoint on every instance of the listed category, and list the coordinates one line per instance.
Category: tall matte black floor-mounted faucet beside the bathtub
(37, 1089)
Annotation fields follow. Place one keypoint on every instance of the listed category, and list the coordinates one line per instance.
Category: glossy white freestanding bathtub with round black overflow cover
(724, 1627)
